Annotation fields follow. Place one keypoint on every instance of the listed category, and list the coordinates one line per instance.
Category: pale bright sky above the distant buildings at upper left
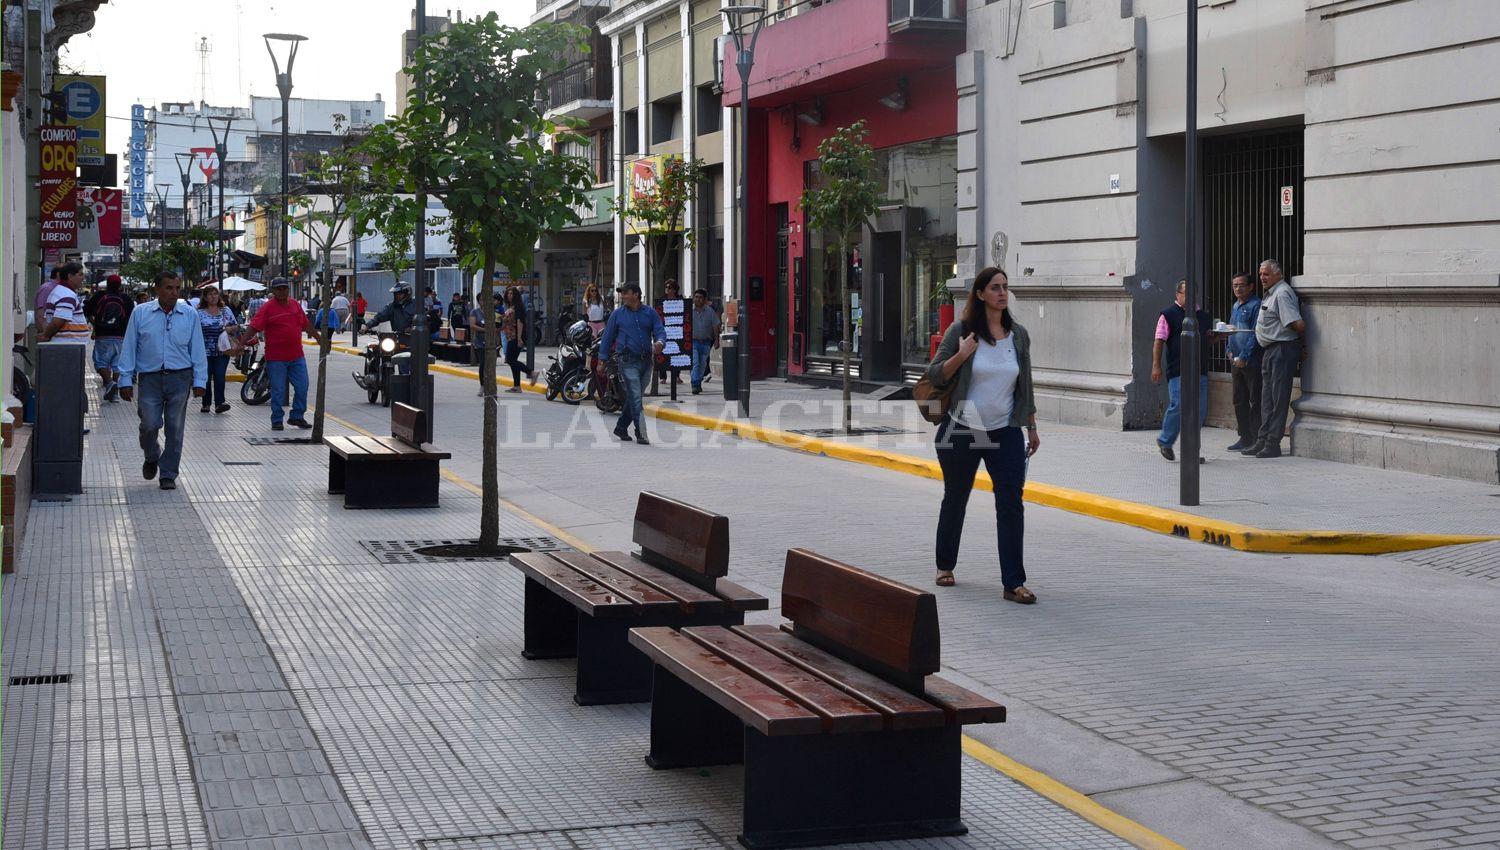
(149, 50)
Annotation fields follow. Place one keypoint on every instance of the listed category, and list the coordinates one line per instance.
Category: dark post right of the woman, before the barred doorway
(1192, 356)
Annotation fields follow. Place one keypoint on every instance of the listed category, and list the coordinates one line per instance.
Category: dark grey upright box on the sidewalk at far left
(59, 453)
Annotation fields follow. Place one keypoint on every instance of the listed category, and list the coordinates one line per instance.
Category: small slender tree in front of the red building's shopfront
(841, 205)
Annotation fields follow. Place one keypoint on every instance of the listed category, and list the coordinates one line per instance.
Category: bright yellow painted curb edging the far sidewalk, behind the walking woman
(1138, 515)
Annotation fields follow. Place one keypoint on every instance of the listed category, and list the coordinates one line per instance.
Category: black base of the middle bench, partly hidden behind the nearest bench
(610, 671)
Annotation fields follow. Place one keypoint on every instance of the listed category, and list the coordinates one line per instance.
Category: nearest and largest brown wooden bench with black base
(844, 732)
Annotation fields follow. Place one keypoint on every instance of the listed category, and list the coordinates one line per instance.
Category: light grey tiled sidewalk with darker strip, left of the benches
(247, 674)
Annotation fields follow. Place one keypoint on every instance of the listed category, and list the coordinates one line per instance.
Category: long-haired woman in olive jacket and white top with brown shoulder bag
(986, 358)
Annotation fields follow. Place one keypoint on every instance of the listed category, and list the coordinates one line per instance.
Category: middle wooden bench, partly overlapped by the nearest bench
(584, 605)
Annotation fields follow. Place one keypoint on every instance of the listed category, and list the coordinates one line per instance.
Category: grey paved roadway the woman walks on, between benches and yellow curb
(1348, 699)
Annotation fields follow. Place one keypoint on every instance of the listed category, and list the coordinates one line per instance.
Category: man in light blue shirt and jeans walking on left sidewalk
(164, 355)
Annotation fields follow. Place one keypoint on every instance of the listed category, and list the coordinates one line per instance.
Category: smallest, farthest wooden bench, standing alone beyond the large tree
(395, 471)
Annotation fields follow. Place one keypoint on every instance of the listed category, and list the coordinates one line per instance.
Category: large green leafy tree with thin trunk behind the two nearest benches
(478, 140)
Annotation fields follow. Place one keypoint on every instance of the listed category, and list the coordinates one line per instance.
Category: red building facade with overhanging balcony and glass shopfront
(827, 68)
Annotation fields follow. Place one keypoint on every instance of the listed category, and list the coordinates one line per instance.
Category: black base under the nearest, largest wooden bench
(803, 791)
